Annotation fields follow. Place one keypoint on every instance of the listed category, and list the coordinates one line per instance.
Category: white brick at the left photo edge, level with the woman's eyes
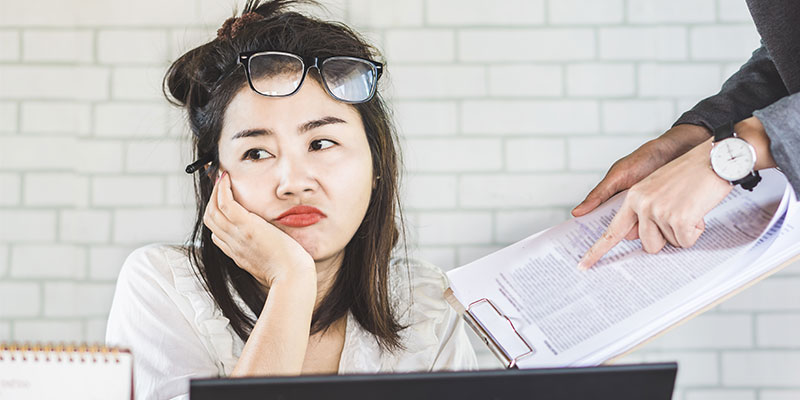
(35, 153)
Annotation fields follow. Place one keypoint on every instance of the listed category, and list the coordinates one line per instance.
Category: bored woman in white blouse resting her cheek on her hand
(290, 269)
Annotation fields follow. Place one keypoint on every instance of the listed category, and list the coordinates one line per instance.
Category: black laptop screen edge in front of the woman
(619, 382)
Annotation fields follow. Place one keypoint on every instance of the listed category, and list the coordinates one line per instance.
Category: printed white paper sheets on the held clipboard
(573, 317)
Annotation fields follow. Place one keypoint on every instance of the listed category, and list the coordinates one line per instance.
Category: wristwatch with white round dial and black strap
(733, 159)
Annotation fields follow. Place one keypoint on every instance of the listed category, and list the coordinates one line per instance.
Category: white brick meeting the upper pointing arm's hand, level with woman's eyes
(599, 153)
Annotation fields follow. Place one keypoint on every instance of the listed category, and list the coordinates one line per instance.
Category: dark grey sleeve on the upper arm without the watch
(756, 85)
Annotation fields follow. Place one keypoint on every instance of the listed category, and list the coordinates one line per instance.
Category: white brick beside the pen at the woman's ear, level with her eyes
(159, 155)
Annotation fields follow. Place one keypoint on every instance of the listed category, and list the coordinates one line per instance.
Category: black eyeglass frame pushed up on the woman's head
(308, 63)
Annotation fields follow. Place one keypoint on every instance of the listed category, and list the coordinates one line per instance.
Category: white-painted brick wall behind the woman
(510, 111)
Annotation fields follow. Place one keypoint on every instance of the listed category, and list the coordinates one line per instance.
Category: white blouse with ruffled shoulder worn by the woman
(163, 314)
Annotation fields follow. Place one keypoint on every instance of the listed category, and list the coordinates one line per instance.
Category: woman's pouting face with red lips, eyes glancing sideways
(303, 150)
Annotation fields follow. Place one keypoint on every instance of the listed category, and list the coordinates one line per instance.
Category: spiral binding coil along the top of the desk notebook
(58, 352)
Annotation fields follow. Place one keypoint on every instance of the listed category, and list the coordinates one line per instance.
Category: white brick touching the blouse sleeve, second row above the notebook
(70, 299)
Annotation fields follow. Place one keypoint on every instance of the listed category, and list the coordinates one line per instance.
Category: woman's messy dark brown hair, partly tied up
(203, 81)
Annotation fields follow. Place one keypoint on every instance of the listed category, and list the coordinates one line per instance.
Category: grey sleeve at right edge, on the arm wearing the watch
(781, 120)
